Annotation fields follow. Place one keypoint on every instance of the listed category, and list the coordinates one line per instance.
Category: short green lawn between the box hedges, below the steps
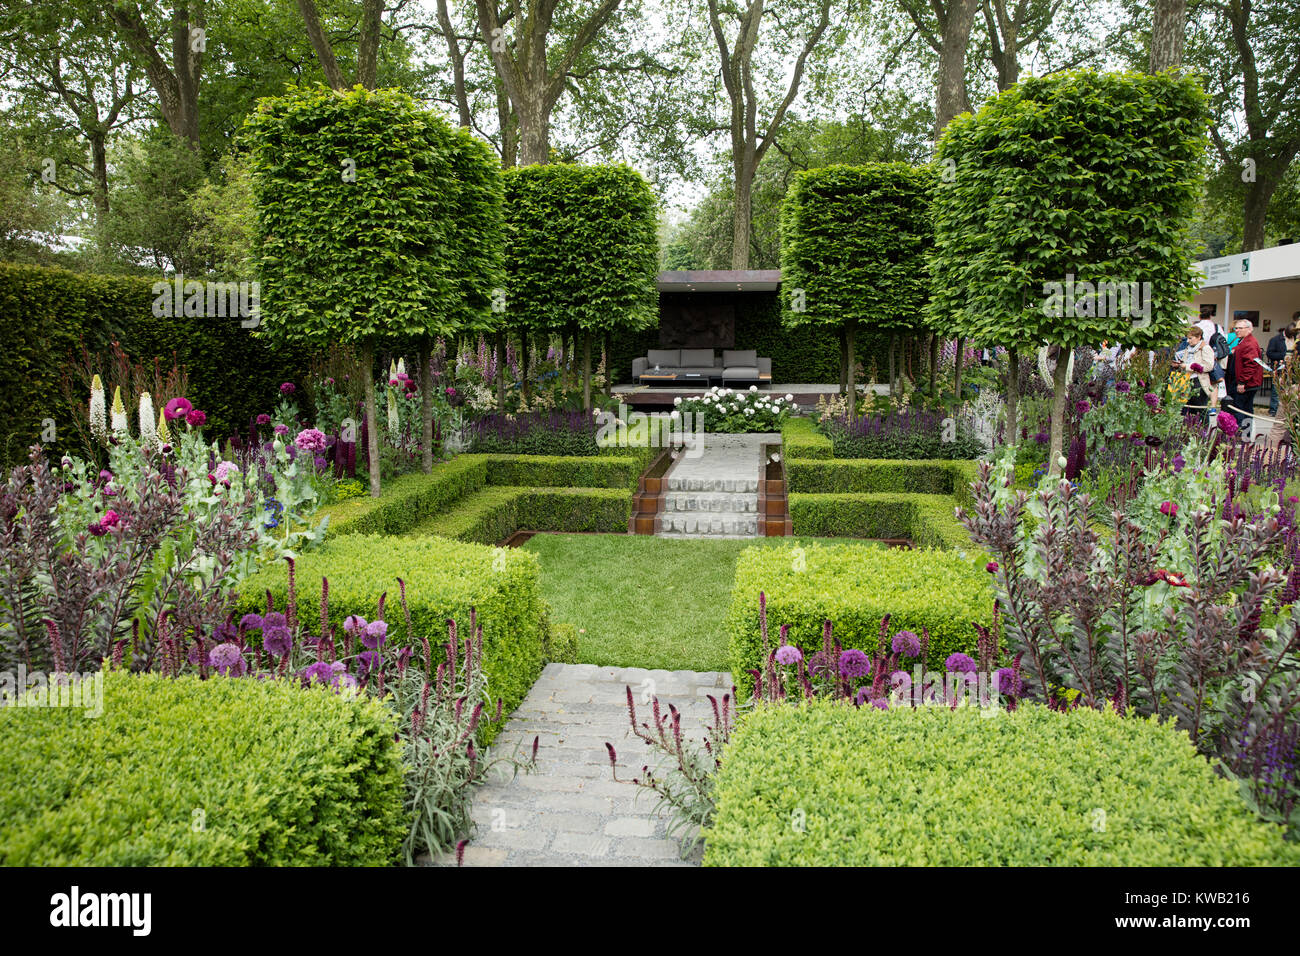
(642, 602)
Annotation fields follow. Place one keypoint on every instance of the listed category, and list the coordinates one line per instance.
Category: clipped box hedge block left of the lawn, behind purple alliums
(444, 581)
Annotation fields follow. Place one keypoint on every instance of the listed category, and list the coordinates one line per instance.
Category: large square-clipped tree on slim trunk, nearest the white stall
(1047, 196)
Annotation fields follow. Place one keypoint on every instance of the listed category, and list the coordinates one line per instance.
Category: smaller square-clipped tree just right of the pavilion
(853, 246)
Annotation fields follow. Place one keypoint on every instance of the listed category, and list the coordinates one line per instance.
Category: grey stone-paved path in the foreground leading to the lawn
(570, 812)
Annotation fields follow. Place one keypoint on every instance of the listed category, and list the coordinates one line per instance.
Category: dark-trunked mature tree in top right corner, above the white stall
(1250, 51)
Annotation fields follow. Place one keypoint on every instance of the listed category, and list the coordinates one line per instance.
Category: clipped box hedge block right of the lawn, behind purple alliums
(853, 586)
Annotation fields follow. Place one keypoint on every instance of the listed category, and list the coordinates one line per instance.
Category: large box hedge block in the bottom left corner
(181, 772)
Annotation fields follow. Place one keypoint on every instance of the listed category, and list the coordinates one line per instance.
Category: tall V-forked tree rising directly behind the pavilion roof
(761, 85)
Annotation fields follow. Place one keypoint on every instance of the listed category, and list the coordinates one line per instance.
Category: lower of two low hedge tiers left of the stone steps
(495, 514)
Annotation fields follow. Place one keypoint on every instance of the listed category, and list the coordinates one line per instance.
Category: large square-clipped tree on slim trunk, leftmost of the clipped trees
(378, 223)
